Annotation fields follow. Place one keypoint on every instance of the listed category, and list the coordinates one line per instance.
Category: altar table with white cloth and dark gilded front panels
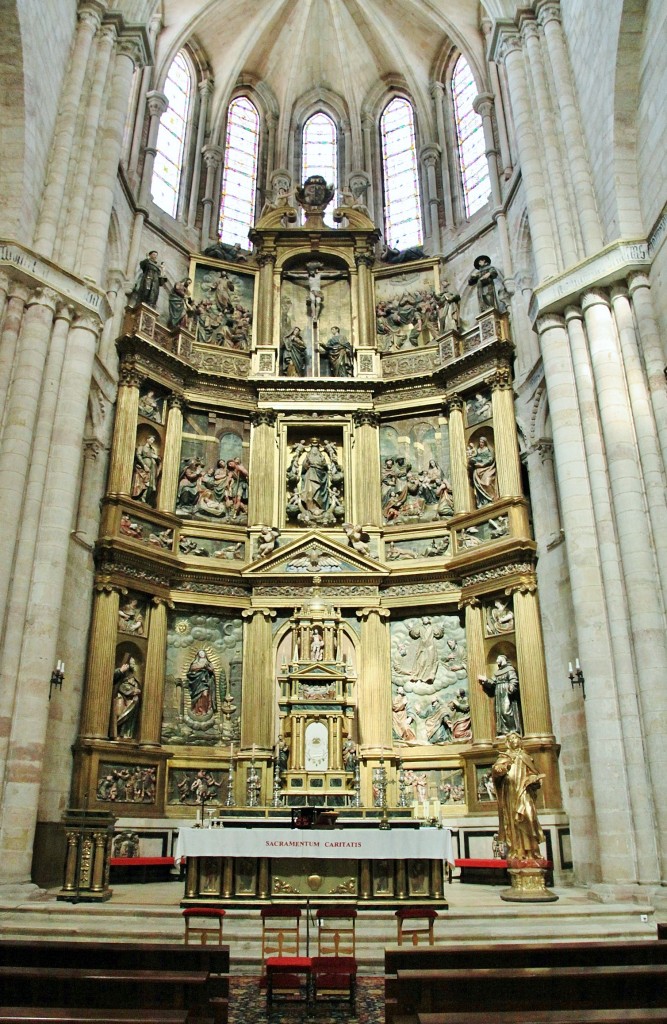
(359, 866)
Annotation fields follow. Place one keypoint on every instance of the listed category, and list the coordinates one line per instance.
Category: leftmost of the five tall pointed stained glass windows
(172, 138)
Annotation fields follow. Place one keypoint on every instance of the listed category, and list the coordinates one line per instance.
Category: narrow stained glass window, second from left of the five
(240, 174)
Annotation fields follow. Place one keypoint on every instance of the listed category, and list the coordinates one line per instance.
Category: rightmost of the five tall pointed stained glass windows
(473, 157)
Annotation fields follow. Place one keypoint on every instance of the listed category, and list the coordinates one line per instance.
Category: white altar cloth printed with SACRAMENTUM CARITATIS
(346, 844)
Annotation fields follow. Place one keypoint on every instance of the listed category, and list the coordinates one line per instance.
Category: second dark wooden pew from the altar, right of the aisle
(525, 990)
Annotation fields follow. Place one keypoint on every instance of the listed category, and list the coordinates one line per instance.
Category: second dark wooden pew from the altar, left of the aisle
(115, 990)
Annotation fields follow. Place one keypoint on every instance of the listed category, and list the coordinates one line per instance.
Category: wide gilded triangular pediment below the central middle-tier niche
(315, 556)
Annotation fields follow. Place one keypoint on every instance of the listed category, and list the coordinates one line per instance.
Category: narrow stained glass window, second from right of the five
(400, 177)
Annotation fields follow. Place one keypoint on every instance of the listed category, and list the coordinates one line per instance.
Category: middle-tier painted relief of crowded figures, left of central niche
(214, 479)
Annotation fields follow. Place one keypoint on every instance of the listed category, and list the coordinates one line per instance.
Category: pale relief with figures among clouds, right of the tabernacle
(430, 687)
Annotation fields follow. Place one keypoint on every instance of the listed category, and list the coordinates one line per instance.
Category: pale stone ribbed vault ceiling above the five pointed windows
(348, 48)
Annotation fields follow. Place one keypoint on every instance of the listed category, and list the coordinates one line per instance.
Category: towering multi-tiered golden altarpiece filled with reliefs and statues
(315, 563)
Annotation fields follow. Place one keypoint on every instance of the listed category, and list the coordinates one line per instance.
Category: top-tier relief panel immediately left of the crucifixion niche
(224, 301)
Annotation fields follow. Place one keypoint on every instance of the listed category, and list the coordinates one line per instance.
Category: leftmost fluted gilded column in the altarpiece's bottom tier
(96, 712)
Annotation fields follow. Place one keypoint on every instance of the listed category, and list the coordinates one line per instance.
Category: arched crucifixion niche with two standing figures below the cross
(316, 319)
